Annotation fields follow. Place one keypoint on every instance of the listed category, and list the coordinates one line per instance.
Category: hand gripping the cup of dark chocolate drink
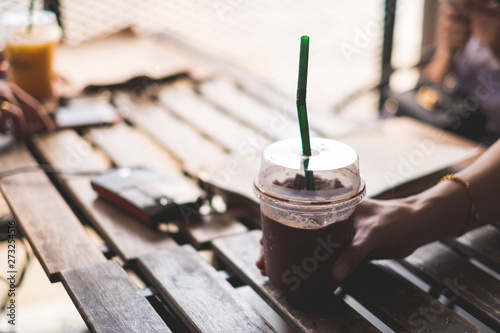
(393, 229)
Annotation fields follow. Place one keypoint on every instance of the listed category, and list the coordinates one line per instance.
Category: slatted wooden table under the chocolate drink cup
(204, 129)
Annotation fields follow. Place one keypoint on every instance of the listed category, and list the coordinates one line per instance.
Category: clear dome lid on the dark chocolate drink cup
(333, 166)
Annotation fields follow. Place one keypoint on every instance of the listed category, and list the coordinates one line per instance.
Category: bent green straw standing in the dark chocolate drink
(302, 109)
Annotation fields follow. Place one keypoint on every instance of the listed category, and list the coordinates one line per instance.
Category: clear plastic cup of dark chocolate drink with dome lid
(304, 231)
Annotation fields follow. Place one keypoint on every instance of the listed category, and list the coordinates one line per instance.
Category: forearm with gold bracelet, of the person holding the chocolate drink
(446, 206)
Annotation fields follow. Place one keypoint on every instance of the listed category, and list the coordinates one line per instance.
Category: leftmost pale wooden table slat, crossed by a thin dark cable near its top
(55, 233)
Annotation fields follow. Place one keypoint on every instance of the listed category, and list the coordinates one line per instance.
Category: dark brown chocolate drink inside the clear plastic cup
(299, 250)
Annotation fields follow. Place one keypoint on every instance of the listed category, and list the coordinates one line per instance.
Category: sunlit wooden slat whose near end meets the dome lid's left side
(230, 133)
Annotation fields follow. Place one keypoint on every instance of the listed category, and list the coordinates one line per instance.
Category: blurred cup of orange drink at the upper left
(30, 50)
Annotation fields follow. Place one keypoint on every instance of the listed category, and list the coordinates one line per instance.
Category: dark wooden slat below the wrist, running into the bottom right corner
(475, 290)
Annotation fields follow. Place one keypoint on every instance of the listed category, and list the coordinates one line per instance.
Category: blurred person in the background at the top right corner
(467, 58)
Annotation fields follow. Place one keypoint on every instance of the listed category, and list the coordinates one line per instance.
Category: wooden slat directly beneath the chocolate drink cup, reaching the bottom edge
(240, 252)
